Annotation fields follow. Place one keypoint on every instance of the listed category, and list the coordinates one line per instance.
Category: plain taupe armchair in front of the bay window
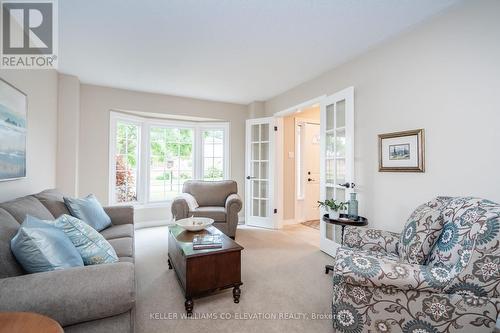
(218, 200)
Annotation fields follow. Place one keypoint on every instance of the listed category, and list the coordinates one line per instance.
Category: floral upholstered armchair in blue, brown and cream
(440, 275)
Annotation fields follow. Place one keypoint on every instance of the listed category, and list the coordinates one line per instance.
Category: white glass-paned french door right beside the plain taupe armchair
(260, 157)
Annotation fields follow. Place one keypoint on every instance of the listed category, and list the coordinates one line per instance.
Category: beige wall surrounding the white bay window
(95, 105)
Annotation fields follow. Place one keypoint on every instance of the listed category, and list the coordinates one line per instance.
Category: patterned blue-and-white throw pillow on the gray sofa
(92, 246)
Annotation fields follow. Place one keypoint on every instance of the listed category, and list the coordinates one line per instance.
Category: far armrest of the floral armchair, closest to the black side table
(371, 239)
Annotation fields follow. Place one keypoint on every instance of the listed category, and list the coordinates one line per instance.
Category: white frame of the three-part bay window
(144, 152)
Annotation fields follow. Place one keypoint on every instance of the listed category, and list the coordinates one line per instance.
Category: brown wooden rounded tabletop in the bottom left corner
(27, 322)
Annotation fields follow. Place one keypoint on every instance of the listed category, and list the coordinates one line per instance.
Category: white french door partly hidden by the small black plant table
(337, 158)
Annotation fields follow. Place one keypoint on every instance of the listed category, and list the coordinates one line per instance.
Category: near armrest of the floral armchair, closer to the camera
(368, 270)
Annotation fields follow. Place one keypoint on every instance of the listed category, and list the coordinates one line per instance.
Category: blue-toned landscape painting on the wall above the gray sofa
(13, 113)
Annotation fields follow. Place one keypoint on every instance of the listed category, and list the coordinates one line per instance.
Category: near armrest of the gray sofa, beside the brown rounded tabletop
(72, 295)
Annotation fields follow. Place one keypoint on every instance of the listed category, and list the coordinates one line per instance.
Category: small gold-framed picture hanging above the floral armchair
(402, 151)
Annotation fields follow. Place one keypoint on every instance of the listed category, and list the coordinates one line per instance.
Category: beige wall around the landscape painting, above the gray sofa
(41, 88)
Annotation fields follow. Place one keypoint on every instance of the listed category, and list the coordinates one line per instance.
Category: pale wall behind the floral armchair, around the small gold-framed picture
(443, 76)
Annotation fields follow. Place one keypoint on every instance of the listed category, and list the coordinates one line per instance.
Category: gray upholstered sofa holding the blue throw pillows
(96, 298)
